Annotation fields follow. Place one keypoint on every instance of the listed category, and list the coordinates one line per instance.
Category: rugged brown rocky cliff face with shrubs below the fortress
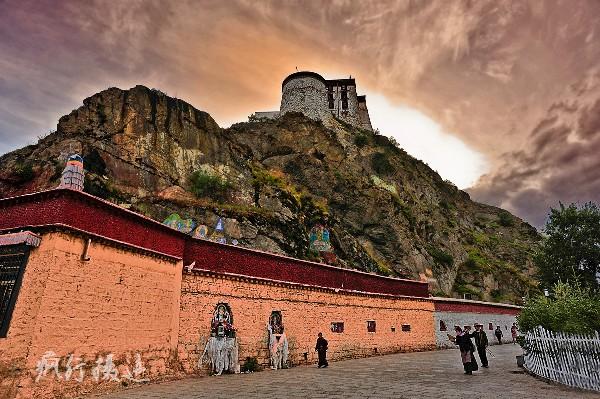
(272, 181)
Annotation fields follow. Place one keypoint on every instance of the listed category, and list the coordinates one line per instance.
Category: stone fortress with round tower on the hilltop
(321, 99)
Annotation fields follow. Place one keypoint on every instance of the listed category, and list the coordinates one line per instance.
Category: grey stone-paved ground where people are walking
(435, 374)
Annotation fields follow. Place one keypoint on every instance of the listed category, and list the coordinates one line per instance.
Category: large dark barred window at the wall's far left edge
(13, 259)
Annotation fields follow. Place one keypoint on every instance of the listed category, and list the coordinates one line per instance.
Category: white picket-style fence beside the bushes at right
(569, 359)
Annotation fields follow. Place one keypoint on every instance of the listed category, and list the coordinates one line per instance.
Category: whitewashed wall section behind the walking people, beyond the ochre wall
(469, 319)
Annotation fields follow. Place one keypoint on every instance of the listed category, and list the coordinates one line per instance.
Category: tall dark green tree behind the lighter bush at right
(571, 249)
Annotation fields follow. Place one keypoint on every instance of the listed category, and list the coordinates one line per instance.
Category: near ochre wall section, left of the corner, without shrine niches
(118, 302)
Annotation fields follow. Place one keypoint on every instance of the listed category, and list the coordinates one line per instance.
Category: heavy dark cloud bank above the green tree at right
(560, 162)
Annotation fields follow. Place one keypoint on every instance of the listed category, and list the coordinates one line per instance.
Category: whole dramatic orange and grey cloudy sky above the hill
(500, 97)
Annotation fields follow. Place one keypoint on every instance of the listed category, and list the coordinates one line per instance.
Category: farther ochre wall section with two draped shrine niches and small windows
(305, 312)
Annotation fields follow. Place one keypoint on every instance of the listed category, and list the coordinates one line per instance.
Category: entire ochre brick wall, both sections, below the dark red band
(124, 301)
